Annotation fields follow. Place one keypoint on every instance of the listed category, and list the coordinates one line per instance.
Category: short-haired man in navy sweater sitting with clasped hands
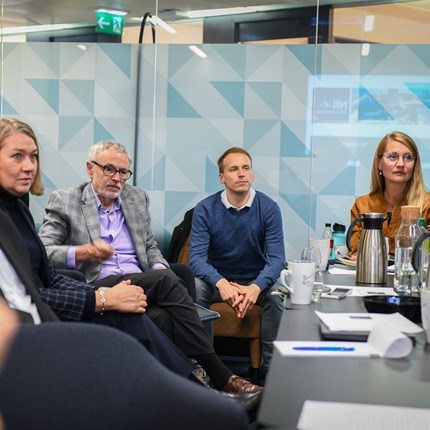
(237, 247)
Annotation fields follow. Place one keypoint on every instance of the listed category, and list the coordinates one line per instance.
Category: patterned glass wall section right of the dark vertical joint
(311, 125)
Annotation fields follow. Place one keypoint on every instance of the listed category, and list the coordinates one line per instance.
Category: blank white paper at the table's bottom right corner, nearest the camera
(354, 416)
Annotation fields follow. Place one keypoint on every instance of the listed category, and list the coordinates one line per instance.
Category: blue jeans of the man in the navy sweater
(207, 294)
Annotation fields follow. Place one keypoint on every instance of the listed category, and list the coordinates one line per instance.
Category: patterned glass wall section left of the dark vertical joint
(72, 95)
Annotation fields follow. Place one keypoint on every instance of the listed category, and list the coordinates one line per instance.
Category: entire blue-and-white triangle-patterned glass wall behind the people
(311, 117)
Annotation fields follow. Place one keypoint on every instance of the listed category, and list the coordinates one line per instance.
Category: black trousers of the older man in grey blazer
(167, 291)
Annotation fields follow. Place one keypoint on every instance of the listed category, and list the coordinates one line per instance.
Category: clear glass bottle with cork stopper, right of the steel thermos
(405, 277)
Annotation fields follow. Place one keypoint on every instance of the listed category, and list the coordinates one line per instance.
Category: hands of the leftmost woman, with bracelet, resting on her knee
(123, 297)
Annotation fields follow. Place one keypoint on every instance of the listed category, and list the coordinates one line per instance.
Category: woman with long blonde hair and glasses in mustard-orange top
(397, 180)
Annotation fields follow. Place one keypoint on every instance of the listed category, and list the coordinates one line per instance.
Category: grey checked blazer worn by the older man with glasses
(72, 219)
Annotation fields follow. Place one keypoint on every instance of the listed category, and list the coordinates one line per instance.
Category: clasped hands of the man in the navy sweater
(240, 297)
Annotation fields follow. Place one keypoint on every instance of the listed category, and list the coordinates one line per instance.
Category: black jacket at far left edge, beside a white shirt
(16, 251)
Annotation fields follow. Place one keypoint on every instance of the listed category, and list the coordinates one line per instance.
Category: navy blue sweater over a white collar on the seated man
(245, 245)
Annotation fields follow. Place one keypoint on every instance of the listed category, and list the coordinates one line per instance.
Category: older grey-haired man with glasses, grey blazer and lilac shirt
(102, 228)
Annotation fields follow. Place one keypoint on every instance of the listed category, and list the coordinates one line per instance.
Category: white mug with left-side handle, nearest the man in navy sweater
(301, 275)
